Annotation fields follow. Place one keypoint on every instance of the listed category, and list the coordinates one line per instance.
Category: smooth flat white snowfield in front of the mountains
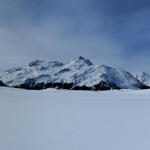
(74, 120)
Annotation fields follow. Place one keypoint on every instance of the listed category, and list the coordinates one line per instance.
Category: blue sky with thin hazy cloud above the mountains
(111, 32)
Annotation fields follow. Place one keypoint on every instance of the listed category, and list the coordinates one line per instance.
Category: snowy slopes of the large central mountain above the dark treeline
(80, 72)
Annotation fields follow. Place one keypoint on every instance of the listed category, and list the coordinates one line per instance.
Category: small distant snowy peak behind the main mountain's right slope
(143, 77)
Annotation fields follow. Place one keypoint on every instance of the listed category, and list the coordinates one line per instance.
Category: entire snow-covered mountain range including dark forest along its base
(78, 74)
